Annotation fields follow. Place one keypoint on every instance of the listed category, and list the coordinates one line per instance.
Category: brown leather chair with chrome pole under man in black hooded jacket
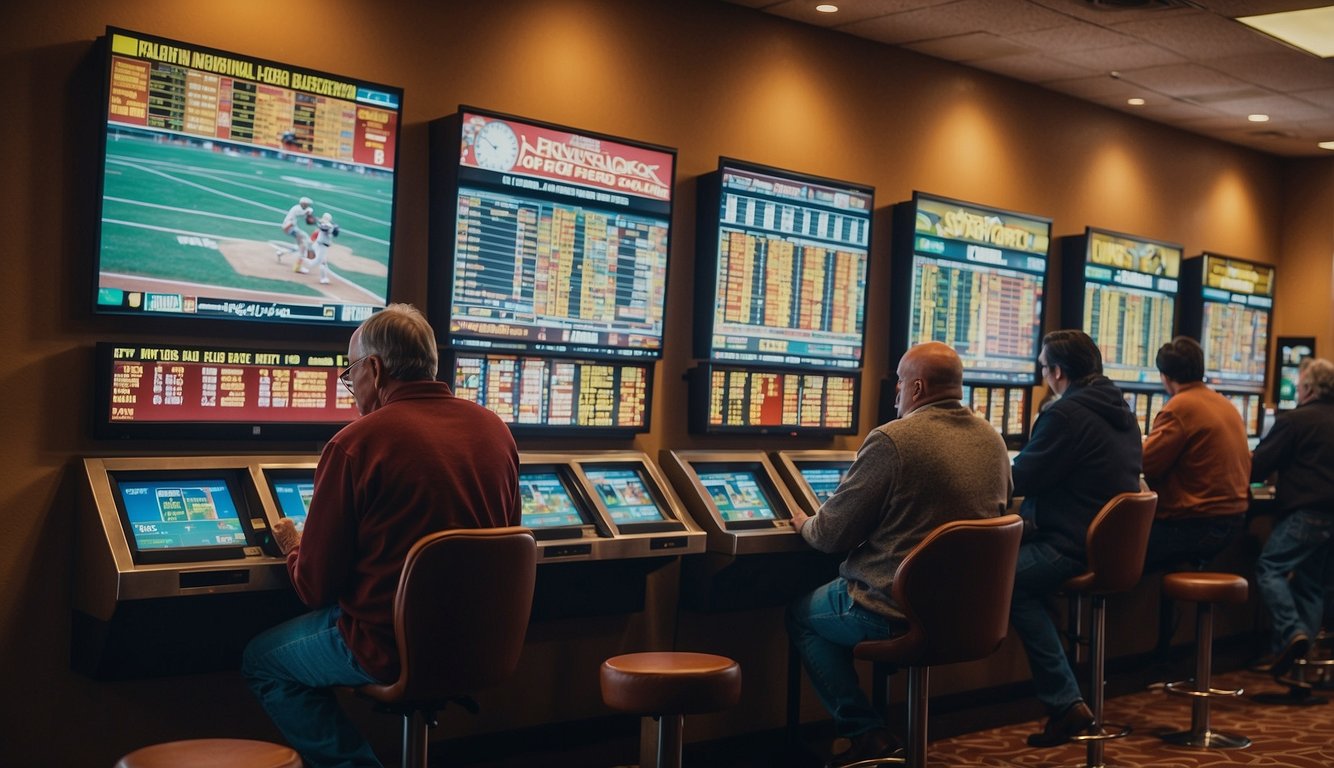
(1116, 546)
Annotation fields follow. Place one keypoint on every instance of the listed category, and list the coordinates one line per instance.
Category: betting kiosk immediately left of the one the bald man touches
(756, 558)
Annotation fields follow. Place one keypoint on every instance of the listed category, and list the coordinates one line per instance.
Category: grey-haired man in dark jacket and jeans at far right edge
(1301, 450)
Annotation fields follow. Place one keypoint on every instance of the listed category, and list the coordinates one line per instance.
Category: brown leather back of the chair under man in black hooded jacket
(1116, 545)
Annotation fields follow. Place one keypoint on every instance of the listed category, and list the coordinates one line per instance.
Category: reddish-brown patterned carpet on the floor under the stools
(1281, 735)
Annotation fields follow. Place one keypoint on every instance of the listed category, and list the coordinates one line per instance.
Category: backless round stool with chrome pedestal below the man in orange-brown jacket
(1204, 589)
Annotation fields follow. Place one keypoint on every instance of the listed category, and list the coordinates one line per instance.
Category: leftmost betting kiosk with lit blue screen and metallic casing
(173, 551)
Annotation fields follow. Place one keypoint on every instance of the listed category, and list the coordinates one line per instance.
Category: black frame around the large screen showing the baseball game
(295, 329)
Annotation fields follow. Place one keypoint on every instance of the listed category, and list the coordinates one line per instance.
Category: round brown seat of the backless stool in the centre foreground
(670, 683)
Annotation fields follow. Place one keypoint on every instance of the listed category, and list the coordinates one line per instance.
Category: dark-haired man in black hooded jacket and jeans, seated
(1084, 450)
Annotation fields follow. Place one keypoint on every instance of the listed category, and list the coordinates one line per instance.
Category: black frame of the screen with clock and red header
(446, 137)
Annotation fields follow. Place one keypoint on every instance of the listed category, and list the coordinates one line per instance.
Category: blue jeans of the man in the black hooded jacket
(1041, 573)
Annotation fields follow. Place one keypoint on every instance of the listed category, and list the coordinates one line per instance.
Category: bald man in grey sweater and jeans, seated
(936, 463)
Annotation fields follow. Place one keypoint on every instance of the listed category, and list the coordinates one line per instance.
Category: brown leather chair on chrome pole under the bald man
(954, 590)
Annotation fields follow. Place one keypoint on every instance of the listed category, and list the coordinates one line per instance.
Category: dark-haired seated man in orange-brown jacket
(1197, 461)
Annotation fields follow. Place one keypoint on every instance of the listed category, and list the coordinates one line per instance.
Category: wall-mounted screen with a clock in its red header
(546, 239)
